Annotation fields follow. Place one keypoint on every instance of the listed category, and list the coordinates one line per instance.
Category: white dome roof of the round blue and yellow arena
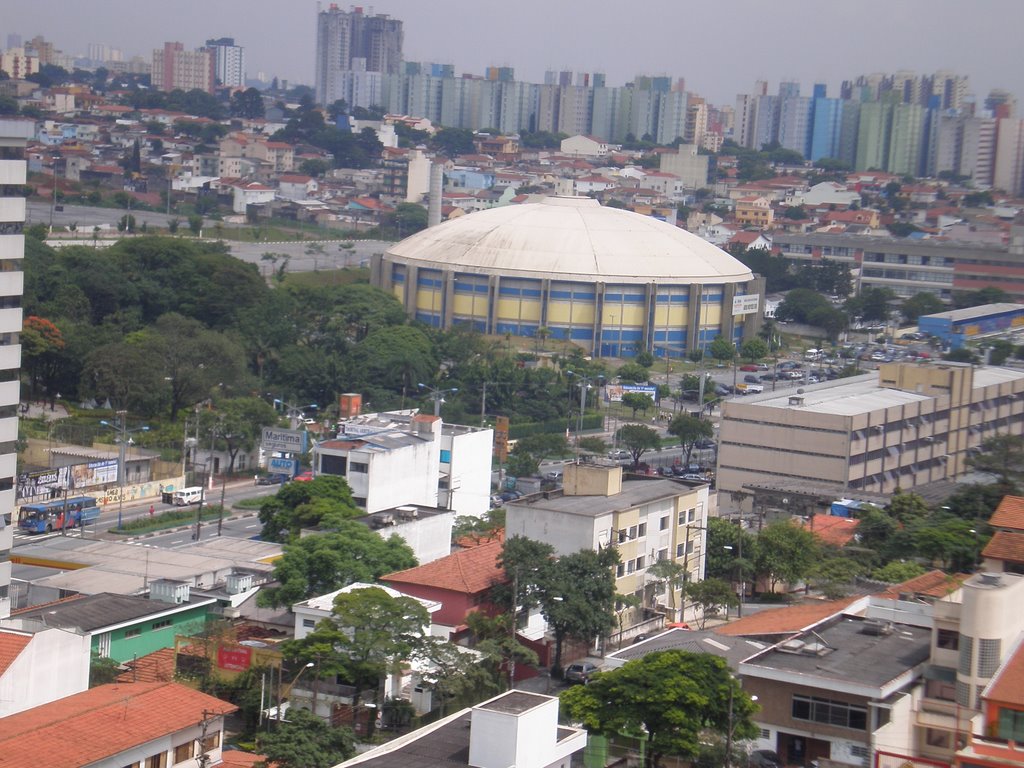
(571, 239)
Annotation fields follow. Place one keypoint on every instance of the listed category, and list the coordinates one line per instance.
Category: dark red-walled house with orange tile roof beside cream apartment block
(461, 583)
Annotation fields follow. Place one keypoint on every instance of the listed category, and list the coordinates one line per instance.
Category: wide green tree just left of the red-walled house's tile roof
(325, 563)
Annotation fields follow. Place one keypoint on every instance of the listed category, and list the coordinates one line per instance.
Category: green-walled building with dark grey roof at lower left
(124, 627)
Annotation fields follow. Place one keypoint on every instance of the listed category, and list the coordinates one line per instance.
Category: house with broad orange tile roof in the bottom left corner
(117, 726)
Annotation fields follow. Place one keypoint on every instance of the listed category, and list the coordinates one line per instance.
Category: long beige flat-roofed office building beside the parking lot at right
(907, 425)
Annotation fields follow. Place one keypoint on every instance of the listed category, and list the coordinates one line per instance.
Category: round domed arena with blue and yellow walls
(615, 282)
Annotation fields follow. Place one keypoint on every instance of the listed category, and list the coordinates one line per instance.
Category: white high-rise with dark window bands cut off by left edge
(14, 137)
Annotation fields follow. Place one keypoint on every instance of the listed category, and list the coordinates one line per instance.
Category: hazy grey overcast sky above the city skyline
(719, 49)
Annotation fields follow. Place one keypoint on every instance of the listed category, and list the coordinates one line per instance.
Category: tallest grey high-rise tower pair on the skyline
(346, 38)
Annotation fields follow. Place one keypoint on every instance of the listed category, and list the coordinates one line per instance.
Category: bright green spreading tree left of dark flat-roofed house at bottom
(673, 697)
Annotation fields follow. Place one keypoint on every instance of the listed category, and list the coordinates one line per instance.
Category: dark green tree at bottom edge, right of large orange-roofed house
(306, 741)
